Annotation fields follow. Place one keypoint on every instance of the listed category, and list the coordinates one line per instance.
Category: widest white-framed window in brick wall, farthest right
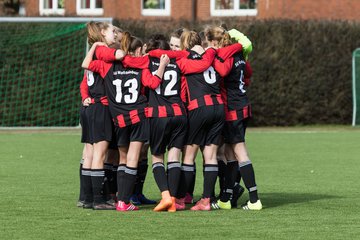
(233, 7)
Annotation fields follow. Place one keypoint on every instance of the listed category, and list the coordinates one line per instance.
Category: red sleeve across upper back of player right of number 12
(189, 66)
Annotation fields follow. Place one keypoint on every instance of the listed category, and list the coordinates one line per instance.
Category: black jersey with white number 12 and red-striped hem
(165, 100)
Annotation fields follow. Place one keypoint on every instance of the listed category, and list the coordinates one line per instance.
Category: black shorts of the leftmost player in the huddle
(100, 123)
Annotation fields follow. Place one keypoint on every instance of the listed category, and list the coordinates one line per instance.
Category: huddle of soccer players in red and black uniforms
(174, 97)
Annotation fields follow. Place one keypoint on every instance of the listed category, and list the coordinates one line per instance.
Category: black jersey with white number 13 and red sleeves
(124, 86)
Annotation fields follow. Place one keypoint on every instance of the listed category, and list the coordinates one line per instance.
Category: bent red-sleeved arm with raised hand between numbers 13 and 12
(153, 81)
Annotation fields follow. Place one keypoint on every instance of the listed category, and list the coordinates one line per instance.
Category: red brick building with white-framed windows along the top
(186, 9)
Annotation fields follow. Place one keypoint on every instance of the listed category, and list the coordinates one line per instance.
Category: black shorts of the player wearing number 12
(167, 132)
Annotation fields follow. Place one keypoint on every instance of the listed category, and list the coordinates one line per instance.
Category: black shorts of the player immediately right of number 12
(206, 125)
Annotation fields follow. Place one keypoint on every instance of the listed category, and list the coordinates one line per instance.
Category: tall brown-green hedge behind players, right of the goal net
(302, 69)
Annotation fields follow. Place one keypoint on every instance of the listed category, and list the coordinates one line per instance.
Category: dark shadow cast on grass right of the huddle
(272, 200)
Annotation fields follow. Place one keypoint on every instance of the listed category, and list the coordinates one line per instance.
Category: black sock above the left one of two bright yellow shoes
(230, 176)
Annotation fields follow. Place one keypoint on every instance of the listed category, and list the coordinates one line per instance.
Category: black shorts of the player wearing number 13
(138, 132)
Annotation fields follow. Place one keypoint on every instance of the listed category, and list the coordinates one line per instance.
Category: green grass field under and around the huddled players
(308, 181)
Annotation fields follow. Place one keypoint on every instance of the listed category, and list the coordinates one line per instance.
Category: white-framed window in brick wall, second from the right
(155, 7)
